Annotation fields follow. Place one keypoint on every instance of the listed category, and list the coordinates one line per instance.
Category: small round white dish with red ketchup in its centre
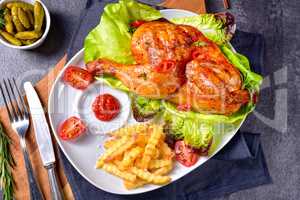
(104, 109)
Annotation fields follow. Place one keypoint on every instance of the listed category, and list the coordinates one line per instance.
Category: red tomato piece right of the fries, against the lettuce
(185, 154)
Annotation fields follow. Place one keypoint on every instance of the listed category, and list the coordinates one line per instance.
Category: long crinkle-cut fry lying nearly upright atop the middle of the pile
(151, 146)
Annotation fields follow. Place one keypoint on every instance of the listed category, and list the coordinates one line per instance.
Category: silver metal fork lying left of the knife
(19, 119)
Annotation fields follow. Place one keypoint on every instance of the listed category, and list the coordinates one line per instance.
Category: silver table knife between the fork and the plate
(43, 138)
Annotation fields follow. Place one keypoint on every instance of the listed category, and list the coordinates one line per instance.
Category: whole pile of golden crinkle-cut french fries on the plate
(139, 155)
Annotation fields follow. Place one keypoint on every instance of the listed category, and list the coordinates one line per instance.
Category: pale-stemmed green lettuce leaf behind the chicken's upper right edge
(211, 26)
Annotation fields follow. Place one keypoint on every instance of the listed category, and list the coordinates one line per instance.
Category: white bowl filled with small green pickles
(23, 24)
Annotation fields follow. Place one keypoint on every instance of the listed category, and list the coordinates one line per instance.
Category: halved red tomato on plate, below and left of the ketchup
(71, 128)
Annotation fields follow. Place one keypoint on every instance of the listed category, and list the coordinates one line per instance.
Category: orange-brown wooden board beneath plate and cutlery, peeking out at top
(43, 88)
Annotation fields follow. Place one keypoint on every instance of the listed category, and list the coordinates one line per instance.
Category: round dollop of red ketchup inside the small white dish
(106, 107)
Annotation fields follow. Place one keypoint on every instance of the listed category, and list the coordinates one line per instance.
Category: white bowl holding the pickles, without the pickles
(45, 33)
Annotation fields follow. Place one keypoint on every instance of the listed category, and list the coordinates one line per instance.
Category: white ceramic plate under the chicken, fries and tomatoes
(64, 101)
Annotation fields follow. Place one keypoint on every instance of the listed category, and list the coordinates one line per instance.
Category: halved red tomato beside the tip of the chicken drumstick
(77, 77)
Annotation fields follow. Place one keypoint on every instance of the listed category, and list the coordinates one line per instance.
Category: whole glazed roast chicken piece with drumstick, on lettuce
(179, 64)
